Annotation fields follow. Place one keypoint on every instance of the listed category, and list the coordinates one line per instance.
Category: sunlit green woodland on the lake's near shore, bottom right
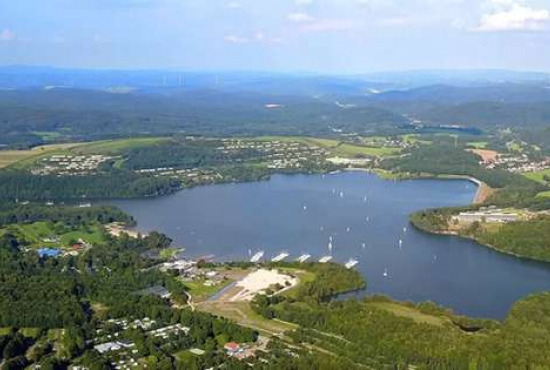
(376, 334)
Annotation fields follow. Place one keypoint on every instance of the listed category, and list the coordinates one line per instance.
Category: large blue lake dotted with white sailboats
(366, 217)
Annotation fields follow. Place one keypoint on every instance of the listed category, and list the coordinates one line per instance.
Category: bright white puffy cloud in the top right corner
(510, 15)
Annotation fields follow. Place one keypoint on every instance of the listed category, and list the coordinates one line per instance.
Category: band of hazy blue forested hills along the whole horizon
(38, 105)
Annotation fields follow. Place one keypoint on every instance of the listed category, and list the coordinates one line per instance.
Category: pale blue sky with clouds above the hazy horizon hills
(329, 36)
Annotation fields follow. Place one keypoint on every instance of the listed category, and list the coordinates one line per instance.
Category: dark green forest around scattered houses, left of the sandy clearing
(79, 293)
